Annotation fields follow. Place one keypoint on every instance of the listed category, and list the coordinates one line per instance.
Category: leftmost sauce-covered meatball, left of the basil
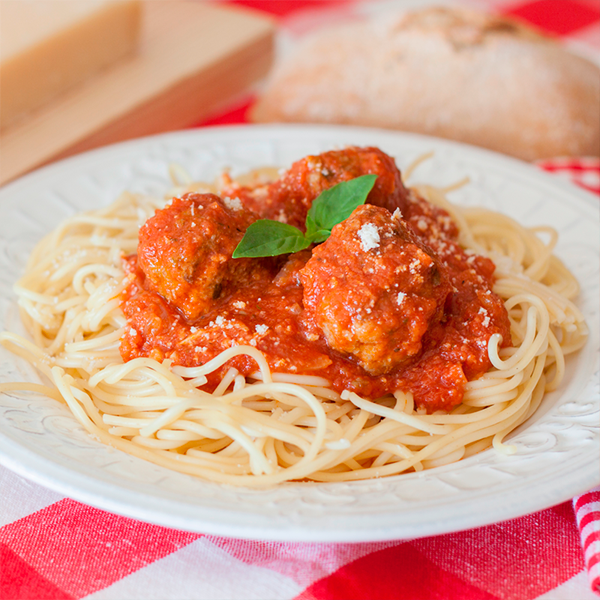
(185, 251)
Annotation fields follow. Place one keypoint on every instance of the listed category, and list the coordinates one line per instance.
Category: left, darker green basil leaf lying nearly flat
(270, 238)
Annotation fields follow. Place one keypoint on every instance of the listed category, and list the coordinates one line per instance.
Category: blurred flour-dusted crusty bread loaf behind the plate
(448, 72)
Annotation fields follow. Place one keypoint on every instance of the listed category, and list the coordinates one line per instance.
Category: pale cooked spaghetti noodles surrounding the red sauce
(271, 427)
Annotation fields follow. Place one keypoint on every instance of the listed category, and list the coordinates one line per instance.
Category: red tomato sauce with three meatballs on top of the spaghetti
(389, 302)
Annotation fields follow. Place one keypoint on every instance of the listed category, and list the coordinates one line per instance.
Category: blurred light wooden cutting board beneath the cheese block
(193, 56)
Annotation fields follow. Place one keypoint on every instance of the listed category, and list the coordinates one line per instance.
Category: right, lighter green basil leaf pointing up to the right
(336, 204)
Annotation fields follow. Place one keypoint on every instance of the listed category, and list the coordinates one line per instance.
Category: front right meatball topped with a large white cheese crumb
(373, 290)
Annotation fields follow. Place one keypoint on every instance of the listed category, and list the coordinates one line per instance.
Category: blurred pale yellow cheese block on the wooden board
(48, 46)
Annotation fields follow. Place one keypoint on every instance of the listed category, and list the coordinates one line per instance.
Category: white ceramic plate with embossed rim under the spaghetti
(558, 449)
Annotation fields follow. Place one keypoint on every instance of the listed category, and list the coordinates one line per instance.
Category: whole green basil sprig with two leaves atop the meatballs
(272, 238)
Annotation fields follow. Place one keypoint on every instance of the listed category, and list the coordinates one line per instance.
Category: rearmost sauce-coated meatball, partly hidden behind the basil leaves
(289, 198)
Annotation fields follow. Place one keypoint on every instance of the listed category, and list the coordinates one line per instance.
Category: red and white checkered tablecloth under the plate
(52, 547)
